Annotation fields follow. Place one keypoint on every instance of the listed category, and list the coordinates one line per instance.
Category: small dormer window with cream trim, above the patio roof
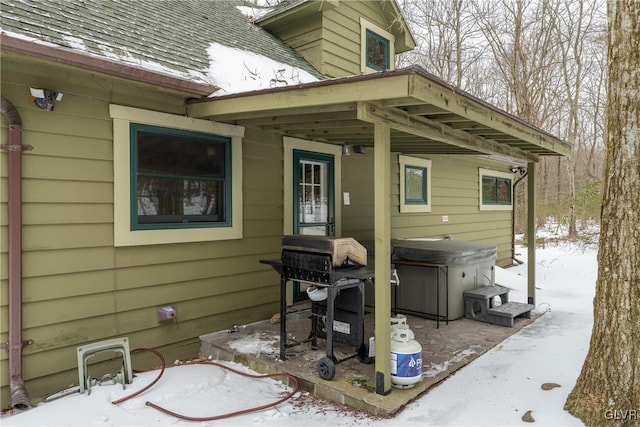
(377, 48)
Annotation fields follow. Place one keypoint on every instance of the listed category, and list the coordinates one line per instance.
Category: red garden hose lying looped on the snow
(214, 417)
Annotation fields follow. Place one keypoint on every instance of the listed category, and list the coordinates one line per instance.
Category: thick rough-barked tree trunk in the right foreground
(607, 391)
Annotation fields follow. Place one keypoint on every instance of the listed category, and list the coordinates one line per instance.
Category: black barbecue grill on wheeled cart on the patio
(339, 266)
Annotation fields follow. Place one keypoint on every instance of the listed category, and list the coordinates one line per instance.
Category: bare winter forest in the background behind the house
(543, 61)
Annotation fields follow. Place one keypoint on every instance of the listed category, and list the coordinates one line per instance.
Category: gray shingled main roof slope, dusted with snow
(168, 36)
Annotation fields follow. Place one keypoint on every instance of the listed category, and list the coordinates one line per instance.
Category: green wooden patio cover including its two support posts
(405, 111)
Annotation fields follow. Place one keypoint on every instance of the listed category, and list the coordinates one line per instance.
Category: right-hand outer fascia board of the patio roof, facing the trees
(445, 97)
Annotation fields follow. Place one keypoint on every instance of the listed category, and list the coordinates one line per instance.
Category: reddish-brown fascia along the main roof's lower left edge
(104, 66)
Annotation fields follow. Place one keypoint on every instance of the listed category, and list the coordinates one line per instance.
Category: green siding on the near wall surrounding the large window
(77, 286)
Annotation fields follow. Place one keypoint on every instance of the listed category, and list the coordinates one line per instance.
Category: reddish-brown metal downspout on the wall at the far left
(19, 397)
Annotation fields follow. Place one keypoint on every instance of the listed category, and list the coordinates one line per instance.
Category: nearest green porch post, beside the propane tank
(382, 233)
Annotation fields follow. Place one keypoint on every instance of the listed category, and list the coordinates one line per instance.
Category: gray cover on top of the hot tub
(449, 252)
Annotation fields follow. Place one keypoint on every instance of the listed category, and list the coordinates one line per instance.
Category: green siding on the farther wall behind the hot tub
(454, 190)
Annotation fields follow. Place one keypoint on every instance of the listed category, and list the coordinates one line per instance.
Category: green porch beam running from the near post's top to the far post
(430, 129)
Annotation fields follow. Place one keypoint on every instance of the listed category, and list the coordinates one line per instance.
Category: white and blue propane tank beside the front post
(406, 357)
